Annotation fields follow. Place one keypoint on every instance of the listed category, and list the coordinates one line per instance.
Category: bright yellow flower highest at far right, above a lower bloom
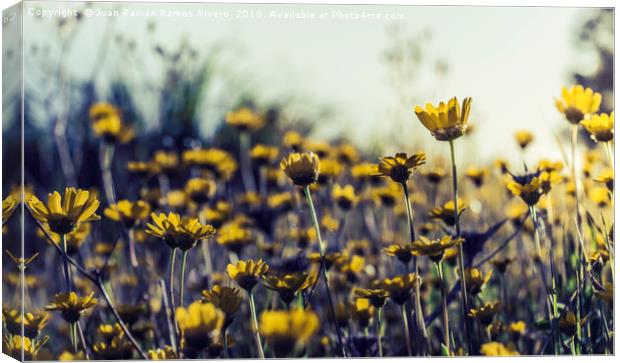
(576, 103)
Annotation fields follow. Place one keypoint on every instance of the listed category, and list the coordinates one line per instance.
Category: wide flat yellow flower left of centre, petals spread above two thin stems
(179, 232)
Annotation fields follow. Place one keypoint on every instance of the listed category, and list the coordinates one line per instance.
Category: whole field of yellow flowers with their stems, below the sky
(348, 257)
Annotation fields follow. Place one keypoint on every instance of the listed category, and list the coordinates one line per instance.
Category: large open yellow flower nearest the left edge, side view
(65, 213)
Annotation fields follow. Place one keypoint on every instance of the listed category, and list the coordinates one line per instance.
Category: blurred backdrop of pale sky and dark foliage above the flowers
(175, 77)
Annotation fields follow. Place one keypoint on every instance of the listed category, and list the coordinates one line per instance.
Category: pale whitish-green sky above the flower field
(512, 61)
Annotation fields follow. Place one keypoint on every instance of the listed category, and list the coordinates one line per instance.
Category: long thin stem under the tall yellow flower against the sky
(461, 260)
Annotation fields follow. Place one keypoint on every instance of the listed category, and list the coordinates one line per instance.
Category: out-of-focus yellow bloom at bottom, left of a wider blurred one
(199, 323)
